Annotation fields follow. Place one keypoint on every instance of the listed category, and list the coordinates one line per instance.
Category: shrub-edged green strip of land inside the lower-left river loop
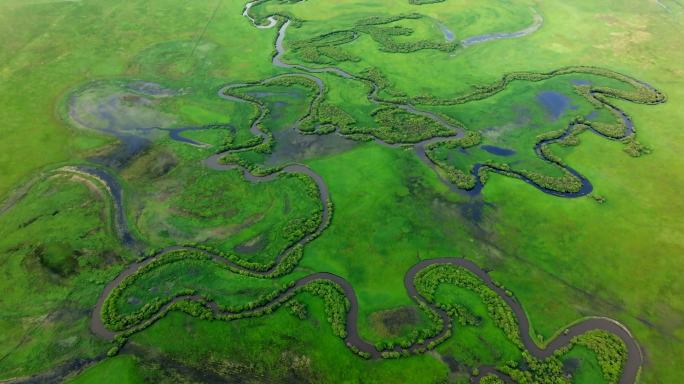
(188, 267)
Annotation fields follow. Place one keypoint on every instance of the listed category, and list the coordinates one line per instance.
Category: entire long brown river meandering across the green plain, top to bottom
(634, 358)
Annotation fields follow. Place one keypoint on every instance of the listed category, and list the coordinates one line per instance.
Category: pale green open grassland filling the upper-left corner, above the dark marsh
(39, 49)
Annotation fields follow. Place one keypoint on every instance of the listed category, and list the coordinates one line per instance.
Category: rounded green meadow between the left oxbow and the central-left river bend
(222, 210)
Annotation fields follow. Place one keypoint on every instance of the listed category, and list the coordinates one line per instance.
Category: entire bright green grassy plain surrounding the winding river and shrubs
(390, 209)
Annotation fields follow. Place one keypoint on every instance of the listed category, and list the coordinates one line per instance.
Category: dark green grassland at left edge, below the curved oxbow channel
(57, 252)
